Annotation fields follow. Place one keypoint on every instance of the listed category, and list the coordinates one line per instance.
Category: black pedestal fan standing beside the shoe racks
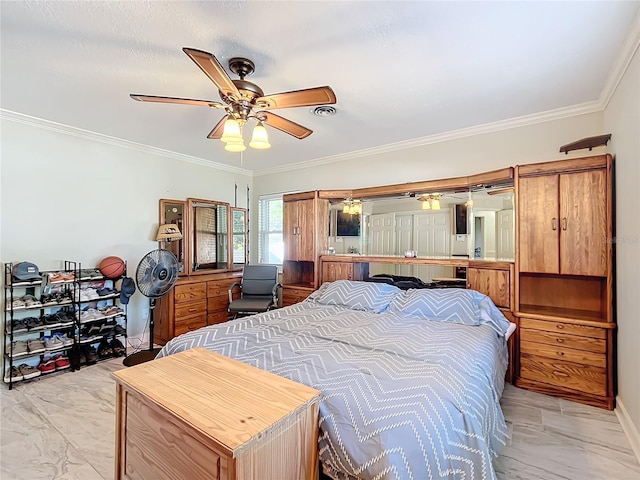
(156, 274)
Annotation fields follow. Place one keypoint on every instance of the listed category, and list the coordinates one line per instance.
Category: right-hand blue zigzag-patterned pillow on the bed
(455, 305)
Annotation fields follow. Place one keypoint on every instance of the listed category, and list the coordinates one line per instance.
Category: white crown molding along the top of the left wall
(116, 142)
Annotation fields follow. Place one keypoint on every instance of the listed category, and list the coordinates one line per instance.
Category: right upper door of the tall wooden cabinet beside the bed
(583, 223)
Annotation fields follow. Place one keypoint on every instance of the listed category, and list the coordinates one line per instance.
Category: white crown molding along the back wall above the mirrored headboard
(516, 122)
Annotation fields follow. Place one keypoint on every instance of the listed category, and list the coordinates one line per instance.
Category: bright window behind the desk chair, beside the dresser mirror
(270, 242)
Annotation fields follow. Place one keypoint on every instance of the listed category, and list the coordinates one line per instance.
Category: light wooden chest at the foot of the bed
(198, 414)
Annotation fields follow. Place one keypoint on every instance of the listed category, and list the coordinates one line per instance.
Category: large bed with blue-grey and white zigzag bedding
(410, 379)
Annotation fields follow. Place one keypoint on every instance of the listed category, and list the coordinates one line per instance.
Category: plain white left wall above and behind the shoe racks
(74, 197)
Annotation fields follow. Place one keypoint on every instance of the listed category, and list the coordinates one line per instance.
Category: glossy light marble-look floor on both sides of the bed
(63, 428)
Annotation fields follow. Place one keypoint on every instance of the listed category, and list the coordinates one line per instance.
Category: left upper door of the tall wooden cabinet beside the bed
(538, 224)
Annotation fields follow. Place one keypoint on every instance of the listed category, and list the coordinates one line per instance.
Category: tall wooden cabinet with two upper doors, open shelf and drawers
(564, 284)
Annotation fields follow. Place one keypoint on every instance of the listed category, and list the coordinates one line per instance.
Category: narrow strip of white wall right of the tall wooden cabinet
(622, 120)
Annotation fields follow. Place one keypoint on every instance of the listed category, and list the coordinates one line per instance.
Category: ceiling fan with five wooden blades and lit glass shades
(242, 100)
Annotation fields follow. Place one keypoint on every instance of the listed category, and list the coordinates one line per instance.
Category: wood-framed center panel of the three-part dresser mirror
(208, 243)
